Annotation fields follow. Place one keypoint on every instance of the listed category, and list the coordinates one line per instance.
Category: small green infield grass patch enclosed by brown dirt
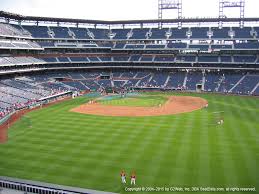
(142, 100)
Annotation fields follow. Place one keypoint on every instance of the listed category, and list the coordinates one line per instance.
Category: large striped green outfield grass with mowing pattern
(180, 150)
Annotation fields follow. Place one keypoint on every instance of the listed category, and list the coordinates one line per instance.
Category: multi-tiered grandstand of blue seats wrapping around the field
(42, 60)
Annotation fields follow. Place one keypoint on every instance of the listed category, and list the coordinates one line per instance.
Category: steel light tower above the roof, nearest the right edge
(232, 4)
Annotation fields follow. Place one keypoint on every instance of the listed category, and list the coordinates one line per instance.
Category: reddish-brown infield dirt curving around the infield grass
(174, 105)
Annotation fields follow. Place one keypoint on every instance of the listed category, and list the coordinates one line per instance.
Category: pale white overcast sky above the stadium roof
(119, 9)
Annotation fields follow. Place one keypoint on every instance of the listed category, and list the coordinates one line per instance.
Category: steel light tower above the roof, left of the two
(170, 5)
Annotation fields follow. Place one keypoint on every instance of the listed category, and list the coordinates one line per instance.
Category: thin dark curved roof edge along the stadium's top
(17, 17)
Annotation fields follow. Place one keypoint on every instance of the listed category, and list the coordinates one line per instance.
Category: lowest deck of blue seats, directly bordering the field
(20, 91)
